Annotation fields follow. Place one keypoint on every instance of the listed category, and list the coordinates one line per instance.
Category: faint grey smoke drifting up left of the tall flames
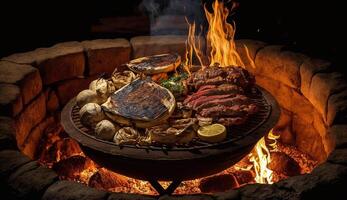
(168, 17)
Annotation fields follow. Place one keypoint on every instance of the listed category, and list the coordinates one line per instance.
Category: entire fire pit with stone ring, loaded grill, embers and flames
(281, 117)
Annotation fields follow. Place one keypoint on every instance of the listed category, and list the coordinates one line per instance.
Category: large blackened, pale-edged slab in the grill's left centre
(142, 103)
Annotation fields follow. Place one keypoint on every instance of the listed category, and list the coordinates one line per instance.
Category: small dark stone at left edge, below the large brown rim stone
(11, 103)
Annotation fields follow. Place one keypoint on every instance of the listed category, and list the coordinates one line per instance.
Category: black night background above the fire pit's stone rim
(315, 28)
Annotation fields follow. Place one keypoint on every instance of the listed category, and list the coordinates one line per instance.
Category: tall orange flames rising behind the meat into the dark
(219, 39)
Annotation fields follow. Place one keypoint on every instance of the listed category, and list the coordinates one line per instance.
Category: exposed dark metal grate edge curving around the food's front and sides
(235, 133)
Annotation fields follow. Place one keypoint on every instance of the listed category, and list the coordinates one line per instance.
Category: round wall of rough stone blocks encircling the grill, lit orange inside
(35, 85)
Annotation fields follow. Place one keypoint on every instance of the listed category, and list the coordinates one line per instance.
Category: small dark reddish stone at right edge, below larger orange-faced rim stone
(337, 109)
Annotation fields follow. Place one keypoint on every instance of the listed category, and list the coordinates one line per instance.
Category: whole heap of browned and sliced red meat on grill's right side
(221, 94)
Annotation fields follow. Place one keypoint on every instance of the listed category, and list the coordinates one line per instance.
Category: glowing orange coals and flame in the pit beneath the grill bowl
(64, 155)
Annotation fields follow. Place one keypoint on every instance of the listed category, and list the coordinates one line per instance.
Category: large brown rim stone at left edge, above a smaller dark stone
(25, 76)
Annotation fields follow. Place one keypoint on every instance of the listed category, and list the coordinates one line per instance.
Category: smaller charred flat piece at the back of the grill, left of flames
(155, 64)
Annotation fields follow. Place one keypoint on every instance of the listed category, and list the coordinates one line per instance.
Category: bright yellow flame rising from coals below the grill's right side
(260, 157)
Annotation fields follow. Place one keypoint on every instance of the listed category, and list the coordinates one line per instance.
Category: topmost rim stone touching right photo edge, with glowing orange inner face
(322, 86)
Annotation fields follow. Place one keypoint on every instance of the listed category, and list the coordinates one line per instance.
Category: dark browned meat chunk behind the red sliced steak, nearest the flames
(220, 75)
